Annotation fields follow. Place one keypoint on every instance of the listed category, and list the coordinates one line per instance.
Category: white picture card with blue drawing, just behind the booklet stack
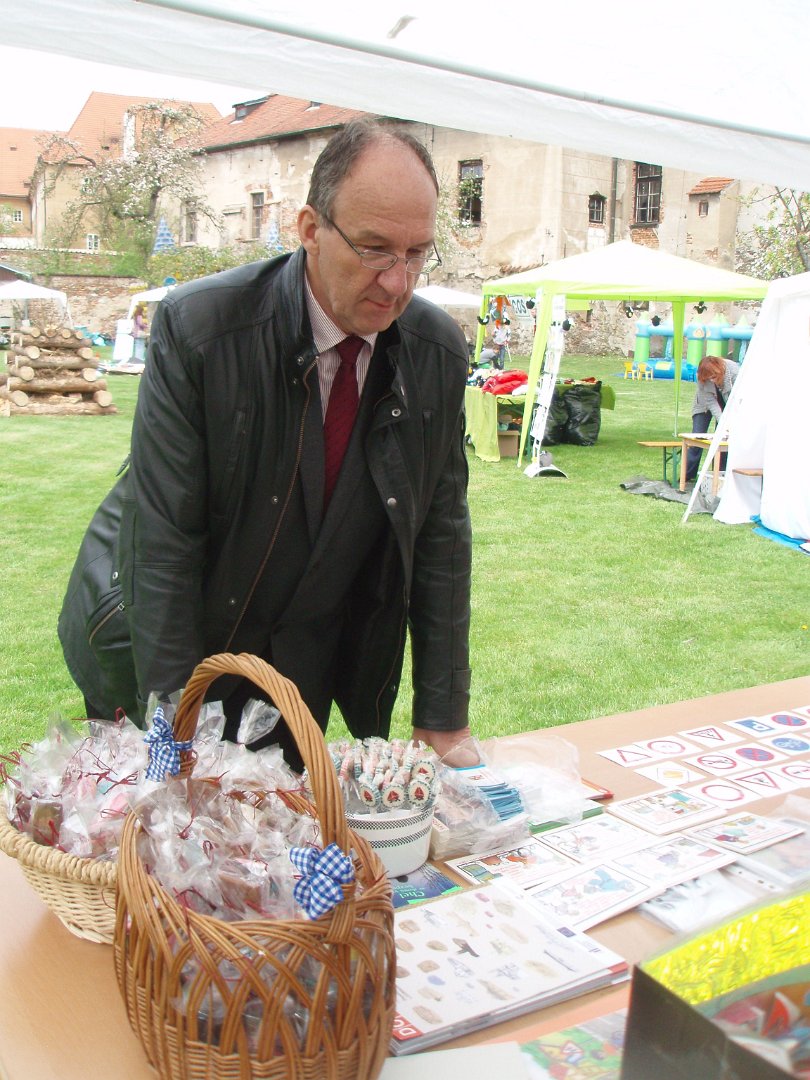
(591, 896)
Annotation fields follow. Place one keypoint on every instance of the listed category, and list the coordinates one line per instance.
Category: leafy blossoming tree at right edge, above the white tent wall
(781, 247)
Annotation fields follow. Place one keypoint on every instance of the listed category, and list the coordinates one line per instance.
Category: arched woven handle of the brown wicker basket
(308, 737)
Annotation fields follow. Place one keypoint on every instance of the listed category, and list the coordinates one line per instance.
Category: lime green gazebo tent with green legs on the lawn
(619, 272)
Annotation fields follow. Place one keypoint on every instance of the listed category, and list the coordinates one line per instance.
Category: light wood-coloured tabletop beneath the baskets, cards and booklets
(62, 1017)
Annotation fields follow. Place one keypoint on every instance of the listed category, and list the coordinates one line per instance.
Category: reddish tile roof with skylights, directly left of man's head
(273, 117)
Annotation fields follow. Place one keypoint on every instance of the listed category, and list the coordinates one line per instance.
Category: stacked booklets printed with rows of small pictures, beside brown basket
(482, 956)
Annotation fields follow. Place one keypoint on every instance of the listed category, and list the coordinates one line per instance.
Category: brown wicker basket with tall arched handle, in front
(335, 974)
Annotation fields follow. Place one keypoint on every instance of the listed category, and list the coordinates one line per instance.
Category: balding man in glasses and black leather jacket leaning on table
(218, 538)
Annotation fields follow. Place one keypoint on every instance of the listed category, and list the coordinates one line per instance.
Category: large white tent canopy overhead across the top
(532, 73)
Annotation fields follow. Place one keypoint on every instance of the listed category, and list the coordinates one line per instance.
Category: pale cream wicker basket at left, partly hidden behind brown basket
(82, 893)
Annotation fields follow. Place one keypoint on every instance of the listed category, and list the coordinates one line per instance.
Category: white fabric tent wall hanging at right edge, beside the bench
(767, 417)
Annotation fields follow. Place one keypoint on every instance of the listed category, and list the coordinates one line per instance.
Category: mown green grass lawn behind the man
(587, 601)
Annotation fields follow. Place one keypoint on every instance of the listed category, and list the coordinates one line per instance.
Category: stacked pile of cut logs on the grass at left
(52, 372)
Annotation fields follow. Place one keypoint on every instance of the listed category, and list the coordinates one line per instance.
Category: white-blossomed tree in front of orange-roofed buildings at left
(119, 195)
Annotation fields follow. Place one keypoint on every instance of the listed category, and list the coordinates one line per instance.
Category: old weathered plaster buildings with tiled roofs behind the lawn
(507, 205)
